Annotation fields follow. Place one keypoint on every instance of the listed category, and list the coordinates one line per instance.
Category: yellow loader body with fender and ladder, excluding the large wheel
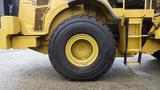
(37, 19)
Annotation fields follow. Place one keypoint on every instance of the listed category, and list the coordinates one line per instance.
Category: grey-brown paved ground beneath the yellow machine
(29, 70)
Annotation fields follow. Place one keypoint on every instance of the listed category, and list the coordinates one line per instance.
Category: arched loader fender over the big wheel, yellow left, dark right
(53, 13)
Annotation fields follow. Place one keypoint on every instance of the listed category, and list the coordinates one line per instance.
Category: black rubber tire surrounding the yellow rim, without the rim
(86, 25)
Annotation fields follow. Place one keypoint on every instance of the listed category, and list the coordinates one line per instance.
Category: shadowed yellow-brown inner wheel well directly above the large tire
(89, 10)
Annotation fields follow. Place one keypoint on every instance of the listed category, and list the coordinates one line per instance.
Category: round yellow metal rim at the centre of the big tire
(82, 50)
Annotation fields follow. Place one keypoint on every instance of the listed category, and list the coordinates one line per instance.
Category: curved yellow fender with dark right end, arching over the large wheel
(63, 5)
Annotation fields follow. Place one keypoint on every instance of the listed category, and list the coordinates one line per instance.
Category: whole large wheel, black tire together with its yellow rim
(82, 48)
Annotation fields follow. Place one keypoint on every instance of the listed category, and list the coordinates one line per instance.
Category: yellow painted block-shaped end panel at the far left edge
(9, 26)
